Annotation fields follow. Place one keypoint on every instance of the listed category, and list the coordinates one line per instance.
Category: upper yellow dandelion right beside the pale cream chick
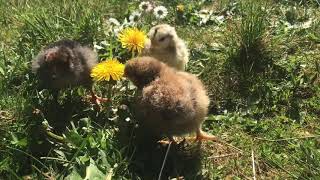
(132, 39)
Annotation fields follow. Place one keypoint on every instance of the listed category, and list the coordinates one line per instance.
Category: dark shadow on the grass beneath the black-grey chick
(71, 107)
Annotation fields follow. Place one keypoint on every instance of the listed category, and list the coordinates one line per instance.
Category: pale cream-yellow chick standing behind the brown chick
(166, 46)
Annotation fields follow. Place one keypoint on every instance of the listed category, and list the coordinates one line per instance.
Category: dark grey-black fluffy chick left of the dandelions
(65, 63)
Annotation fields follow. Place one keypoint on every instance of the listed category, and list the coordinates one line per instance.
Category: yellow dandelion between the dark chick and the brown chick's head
(106, 70)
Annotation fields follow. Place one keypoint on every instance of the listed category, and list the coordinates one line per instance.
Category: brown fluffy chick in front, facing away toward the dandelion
(172, 102)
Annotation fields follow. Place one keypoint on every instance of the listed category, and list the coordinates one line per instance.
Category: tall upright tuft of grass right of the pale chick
(247, 36)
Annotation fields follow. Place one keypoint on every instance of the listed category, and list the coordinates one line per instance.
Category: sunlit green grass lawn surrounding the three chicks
(260, 66)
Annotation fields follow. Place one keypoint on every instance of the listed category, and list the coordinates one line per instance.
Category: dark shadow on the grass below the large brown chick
(146, 156)
